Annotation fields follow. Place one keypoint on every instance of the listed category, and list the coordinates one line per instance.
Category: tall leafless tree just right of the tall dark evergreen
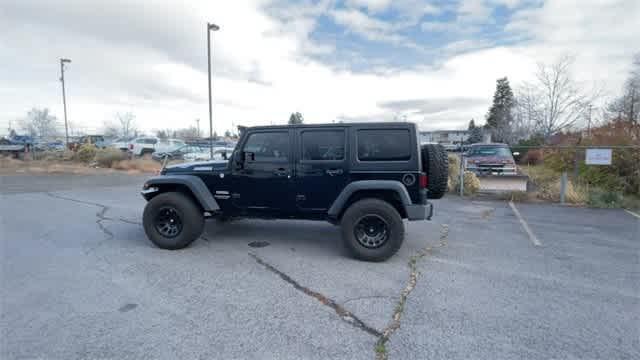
(554, 102)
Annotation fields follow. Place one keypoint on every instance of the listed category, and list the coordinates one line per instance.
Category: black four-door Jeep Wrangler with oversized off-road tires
(366, 177)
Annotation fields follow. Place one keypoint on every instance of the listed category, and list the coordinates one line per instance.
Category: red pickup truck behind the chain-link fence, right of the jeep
(490, 159)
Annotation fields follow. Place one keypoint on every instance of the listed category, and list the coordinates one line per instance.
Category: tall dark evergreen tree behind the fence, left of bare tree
(500, 116)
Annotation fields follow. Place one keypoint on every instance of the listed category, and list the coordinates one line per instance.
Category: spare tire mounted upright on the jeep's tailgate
(435, 163)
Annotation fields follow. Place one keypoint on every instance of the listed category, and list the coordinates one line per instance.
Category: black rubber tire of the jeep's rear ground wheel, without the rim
(379, 208)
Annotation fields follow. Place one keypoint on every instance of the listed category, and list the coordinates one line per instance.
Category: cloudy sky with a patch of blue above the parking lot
(431, 62)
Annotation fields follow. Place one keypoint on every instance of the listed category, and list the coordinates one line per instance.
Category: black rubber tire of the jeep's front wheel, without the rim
(191, 216)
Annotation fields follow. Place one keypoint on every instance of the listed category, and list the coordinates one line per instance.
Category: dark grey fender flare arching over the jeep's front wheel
(193, 183)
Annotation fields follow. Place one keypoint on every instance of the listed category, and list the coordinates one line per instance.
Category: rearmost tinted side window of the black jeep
(384, 145)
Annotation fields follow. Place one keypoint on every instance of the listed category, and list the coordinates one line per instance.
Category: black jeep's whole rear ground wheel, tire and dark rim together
(372, 230)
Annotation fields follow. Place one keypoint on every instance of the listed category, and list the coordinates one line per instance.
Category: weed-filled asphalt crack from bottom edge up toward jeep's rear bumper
(387, 332)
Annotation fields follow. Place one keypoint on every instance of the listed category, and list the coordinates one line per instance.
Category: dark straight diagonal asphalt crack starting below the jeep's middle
(344, 314)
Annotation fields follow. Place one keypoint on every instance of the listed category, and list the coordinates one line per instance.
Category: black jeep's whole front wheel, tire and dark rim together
(172, 221)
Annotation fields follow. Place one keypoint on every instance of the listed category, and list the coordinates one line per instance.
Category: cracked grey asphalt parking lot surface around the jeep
(80, 280)
